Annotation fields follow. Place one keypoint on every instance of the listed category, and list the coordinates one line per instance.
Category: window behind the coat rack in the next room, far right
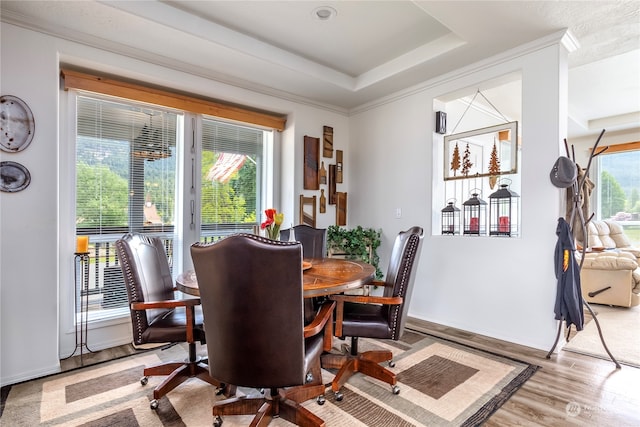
(618, 188)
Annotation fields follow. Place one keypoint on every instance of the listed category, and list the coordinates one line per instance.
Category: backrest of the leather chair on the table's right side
(401, 275)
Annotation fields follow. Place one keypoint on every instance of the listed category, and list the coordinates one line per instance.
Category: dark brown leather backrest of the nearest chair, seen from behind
(251, 290)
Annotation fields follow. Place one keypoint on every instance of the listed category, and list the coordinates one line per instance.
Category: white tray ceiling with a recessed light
(370, 49)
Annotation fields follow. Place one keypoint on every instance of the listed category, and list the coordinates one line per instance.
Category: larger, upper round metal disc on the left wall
(16, 124)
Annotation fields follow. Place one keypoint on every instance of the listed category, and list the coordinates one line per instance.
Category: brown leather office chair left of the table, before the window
(156, 316)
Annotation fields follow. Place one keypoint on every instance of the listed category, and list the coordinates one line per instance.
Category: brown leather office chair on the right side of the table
(381, 317)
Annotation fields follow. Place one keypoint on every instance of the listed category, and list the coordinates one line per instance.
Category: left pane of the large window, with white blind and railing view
(125, 181)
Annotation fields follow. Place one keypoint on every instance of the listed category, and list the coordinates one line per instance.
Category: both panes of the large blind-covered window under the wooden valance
(128, 176)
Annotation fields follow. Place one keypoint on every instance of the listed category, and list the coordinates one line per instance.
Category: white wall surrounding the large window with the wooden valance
(37, 224)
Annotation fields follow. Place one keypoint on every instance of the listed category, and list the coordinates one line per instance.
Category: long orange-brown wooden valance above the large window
(109, 86)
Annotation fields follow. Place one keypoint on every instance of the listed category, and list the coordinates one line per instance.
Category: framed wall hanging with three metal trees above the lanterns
(490, 151)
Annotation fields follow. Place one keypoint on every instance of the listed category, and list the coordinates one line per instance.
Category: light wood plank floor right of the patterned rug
(569, 390)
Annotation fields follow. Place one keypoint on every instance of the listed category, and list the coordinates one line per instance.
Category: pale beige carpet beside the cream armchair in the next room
(620, 329)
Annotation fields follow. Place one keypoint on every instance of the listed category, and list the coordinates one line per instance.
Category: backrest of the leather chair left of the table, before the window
(147, 277)
